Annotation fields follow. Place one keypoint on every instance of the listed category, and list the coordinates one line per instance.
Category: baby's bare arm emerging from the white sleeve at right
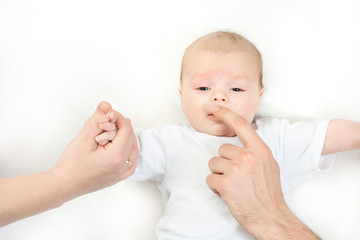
(341, 135)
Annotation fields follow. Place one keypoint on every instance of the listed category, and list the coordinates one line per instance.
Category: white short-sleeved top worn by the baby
(176, 157)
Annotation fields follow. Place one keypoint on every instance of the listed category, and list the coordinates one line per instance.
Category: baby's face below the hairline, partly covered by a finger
(215, 79)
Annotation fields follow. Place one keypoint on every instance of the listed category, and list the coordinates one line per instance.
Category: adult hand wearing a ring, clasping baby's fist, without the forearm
(88, 166)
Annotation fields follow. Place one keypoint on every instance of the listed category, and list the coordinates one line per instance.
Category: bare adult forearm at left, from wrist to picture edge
(24, 196)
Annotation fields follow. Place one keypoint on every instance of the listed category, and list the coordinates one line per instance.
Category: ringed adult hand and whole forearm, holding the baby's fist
(84, 167)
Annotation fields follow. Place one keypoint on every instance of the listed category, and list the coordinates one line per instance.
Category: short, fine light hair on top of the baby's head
(225, 42)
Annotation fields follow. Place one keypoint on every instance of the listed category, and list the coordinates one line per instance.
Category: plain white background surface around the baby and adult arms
(59, 59)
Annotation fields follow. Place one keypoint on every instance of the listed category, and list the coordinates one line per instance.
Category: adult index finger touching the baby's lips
(240, 125)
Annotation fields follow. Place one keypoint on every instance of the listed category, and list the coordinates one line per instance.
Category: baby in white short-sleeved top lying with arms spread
(224, 69)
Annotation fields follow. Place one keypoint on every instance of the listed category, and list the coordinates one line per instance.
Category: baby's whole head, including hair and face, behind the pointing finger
(223, 69)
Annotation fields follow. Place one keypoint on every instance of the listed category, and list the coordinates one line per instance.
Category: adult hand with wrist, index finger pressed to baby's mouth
(248, 180)
